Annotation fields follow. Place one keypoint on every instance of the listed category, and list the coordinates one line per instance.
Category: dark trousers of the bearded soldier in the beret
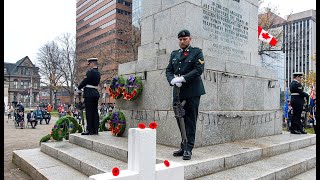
(190, 120)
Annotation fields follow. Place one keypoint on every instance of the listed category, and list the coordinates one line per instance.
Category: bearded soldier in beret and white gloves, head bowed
(184, 70)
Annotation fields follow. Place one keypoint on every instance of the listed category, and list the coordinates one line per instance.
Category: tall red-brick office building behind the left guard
(102, 31)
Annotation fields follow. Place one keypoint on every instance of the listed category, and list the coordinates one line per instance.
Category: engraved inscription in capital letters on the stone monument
(226, 26)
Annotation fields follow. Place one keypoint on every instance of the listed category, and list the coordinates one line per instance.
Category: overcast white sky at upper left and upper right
(29, 24)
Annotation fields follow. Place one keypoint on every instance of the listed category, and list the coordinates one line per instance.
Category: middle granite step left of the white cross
(82, 159)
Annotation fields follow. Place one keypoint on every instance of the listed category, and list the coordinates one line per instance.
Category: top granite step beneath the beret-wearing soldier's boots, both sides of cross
(205, 160)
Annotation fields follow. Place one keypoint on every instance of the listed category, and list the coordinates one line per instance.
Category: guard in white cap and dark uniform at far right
(297, 102)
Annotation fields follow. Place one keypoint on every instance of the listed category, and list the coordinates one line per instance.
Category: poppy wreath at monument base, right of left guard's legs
(117, 123)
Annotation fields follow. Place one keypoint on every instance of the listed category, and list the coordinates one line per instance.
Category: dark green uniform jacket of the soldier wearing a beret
(188, 63)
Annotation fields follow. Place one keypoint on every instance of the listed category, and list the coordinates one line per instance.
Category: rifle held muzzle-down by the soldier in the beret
(179, 112)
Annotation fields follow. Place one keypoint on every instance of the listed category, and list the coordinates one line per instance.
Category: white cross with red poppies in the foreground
(142, 160)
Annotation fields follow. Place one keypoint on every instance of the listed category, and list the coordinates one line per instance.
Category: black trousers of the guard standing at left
(92, 115)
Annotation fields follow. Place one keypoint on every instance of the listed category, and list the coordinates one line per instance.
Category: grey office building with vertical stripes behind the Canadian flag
(299, 40)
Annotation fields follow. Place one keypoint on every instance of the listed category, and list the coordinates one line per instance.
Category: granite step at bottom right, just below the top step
(278, 167)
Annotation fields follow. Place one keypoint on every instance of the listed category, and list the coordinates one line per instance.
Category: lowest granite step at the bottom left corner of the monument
(40, 166)
